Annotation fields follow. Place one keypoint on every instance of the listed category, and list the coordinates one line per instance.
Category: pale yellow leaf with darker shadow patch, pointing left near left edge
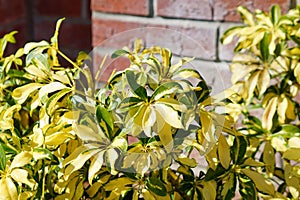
(20, 94)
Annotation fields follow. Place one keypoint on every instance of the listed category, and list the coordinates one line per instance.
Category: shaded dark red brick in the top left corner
(11, 10)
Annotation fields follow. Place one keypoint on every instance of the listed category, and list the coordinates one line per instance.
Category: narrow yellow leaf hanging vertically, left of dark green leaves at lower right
(224, 151)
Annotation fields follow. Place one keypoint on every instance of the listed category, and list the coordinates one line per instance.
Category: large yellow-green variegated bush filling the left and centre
(63, 137)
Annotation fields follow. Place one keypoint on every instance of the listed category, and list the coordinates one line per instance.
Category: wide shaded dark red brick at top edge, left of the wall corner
(62, 8)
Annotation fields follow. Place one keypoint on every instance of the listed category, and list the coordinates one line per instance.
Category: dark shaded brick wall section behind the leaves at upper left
(35, 20)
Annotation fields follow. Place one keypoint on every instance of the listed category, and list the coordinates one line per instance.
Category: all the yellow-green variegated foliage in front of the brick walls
(62, 136)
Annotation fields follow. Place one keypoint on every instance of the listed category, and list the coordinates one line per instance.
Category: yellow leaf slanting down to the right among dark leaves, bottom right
(260, 181)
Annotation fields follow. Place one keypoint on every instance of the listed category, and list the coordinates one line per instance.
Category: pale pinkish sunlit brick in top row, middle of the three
(188, 9)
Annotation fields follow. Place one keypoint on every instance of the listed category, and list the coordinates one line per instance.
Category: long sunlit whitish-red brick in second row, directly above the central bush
(198, 41)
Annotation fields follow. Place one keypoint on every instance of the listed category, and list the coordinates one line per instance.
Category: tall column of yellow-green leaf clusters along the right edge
(265, 74)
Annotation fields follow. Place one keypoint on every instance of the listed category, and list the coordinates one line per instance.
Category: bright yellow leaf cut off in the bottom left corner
(8, 190)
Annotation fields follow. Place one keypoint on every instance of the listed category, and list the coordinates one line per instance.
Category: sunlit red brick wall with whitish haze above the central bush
(187, 27)
